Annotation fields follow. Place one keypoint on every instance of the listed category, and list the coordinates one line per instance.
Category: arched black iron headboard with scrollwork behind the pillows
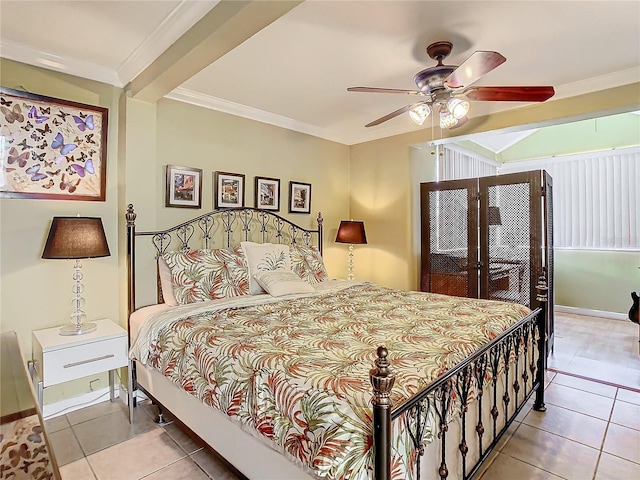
(216, 229)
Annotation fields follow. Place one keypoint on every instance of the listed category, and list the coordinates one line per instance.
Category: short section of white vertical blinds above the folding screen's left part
(457, 163)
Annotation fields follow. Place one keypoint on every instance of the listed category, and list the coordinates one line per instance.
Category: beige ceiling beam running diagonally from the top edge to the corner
(226, 26)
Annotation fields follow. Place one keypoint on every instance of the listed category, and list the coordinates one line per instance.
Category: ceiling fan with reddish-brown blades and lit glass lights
(447, 89)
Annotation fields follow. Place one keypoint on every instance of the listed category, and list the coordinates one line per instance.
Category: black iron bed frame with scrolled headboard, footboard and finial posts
(454, 387)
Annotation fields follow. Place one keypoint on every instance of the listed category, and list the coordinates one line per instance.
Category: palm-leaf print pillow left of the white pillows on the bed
(199, 275)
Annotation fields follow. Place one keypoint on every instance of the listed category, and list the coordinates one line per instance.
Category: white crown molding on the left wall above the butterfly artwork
(70, 66)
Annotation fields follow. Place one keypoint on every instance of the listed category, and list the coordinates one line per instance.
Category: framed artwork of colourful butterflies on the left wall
(50, 148)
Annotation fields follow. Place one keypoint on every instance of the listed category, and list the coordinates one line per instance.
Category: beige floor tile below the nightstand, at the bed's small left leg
(107, 430)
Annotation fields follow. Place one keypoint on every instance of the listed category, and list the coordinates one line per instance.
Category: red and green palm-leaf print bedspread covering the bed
(296, 370)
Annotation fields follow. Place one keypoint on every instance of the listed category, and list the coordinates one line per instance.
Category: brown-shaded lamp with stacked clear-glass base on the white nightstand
(76, 238)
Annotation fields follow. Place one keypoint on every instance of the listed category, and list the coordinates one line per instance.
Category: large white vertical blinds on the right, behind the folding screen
(596, 198)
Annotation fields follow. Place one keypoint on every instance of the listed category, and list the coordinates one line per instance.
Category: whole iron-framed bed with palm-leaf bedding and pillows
(288, 374)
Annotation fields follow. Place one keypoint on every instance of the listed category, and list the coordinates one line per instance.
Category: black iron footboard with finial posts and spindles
(517, 355)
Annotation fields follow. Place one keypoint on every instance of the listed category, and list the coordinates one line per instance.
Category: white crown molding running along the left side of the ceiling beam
(180, 20)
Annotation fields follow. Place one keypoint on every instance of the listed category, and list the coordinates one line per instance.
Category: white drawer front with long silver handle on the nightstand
(82, 360)
